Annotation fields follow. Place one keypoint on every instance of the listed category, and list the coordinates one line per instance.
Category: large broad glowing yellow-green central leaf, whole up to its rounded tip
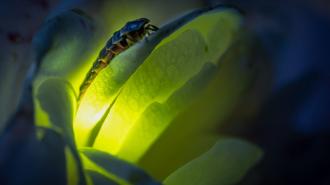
(171, 64)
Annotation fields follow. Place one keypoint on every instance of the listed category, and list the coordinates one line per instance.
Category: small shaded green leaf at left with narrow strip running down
(55, 108)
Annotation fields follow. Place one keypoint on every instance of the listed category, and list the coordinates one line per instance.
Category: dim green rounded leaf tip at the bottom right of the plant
(226, 163)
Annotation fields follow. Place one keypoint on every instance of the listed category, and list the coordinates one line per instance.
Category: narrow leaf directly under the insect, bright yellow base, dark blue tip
(105, 88)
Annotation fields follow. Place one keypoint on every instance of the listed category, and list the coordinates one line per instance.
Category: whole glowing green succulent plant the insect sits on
(152, 116)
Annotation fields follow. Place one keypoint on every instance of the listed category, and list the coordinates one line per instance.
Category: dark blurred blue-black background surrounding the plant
(292, 125)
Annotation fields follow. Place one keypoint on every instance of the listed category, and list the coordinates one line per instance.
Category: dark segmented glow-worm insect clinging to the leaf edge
(121, 40)
